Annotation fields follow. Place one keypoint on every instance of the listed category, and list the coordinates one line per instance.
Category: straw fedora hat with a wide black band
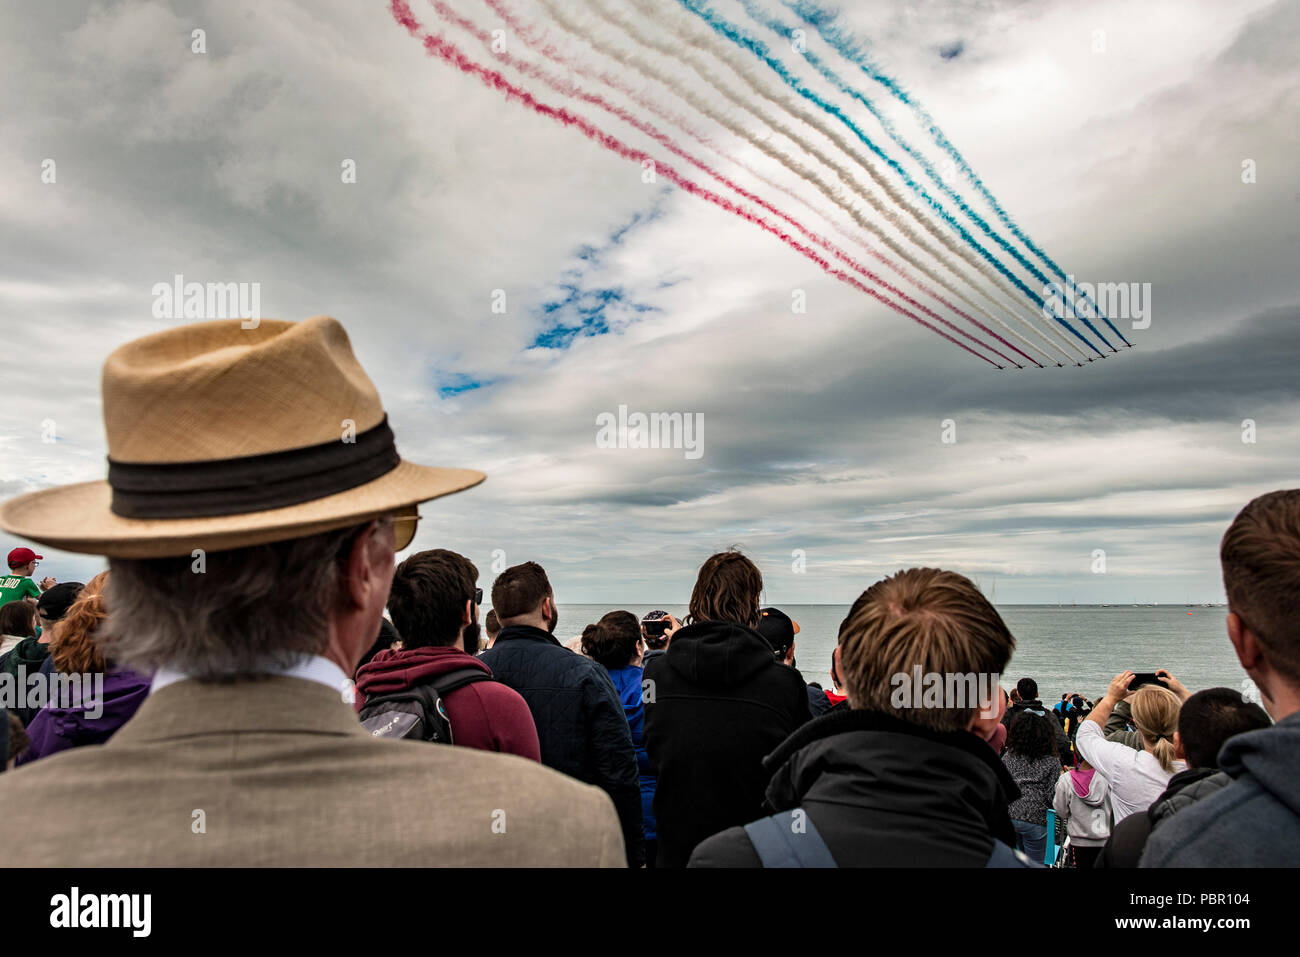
(222, 438)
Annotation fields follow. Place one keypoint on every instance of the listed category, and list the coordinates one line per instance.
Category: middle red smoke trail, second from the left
(569, 89)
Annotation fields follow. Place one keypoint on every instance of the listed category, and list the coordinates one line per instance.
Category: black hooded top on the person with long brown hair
(717, 703)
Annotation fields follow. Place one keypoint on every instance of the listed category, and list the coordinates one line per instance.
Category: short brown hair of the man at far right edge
(1262, 575)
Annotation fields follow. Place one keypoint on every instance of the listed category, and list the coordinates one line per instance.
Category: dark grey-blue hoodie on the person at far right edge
(1254, 822)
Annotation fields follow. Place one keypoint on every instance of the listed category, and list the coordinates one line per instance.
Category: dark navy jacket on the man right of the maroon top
(582, 728)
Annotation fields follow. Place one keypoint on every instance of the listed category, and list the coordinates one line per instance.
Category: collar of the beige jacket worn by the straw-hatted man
(276, 704)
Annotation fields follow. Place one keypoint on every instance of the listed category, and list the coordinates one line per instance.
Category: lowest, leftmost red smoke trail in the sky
(450, 54)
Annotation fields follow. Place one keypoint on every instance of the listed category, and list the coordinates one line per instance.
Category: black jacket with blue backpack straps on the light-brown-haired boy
(885, 794)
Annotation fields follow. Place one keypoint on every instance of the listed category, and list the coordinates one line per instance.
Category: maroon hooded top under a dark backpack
(488, 716)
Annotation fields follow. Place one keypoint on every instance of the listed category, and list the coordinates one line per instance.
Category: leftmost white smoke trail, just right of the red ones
(834, 193)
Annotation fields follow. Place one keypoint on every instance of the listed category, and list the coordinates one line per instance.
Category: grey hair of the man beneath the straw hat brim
(240, 613)
